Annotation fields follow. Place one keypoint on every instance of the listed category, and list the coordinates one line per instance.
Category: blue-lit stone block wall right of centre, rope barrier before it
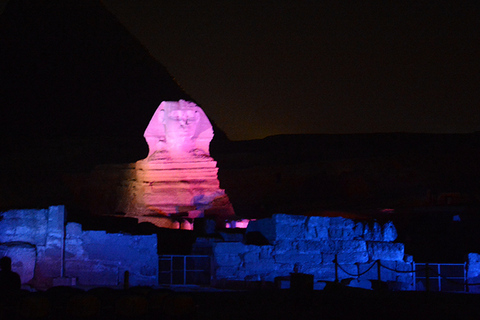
(309, 245)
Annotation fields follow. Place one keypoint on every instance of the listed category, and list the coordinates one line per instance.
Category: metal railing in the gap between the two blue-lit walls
(184, 270)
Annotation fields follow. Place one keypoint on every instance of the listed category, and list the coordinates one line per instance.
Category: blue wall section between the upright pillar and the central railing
(97, 258)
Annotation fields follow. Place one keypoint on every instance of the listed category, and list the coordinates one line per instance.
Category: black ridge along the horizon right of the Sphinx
(297, 148)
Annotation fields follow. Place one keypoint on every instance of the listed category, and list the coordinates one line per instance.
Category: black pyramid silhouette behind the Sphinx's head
(76, 90)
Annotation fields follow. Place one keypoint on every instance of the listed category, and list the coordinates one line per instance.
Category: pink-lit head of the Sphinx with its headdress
(178, 129)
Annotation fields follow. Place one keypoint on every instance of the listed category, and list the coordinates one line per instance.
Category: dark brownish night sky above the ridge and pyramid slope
(260, 68)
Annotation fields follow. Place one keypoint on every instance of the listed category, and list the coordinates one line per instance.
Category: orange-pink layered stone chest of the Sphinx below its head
(178, 188)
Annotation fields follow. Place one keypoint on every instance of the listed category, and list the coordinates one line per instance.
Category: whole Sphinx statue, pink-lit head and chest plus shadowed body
(178, 180)
